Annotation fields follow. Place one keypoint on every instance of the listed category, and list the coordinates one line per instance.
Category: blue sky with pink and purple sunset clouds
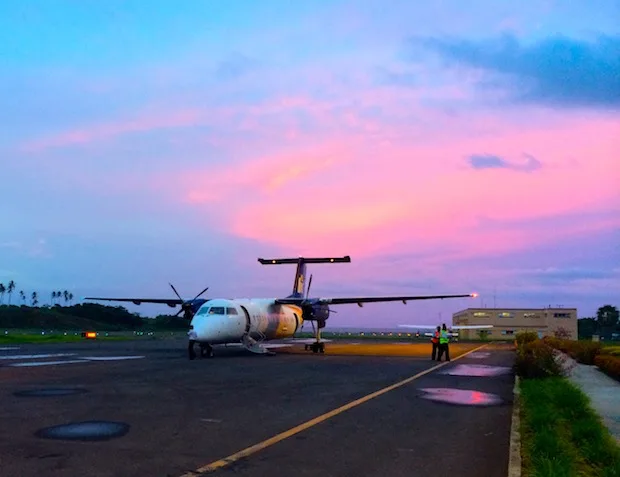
(447, 147)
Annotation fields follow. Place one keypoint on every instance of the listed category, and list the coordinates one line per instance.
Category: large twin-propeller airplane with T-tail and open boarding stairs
(252, 321)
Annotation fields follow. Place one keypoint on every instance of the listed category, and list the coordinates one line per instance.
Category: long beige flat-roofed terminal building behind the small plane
(507, 322)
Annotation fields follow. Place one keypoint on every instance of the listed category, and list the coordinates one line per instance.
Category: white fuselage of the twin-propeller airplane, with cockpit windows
(222, 321)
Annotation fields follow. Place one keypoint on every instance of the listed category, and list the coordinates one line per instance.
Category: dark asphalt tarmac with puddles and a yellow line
(238, 413)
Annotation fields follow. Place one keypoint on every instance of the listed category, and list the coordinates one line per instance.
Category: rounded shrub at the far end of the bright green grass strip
(536, 359)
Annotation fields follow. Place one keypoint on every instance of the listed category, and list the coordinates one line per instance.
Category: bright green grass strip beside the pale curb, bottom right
(561, 434)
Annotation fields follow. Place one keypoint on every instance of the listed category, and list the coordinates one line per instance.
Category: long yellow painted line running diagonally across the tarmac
(218, 464)
